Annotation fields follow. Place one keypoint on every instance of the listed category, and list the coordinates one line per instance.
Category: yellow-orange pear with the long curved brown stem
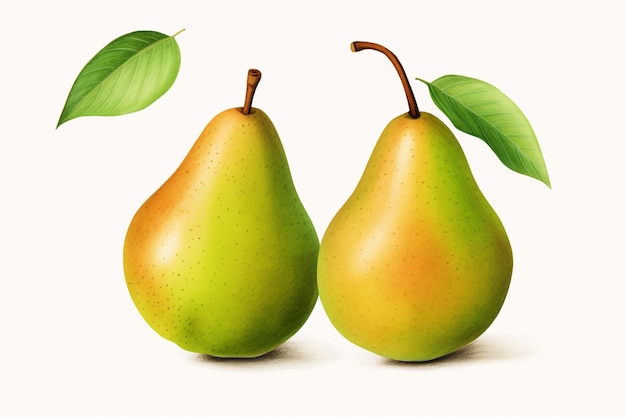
(416, 263)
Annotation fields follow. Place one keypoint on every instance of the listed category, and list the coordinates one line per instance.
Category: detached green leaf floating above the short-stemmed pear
(126, 76)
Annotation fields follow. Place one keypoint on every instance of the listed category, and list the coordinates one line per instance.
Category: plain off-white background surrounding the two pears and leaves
(72, 342)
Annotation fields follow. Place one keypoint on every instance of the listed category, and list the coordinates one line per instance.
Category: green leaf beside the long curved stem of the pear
(480, 109)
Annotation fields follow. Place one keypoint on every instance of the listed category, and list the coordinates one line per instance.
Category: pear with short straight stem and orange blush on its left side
(222, 258)
